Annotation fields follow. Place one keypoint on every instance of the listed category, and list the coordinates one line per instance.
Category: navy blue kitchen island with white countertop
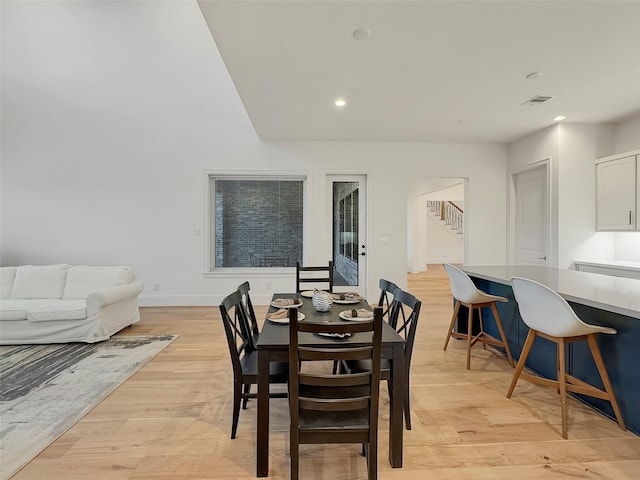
(596, 299)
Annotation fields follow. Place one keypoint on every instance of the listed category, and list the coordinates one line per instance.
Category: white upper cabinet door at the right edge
(616, 194)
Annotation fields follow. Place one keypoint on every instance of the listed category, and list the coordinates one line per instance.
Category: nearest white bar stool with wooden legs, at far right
(549, 316)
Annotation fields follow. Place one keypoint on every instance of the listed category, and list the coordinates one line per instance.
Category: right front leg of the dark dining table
(396, 407)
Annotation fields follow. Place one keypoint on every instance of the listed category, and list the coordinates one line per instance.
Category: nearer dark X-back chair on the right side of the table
(403, 317)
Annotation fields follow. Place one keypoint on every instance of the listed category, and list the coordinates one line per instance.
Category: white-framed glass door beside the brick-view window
(348, 197)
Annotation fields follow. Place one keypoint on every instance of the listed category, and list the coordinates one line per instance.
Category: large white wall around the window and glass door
(113, 111)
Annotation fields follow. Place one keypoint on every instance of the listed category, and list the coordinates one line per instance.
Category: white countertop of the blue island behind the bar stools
(614, 294)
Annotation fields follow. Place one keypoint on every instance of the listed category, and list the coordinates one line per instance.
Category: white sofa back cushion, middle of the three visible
(34, 281)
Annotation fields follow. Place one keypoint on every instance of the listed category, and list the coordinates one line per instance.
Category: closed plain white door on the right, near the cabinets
(532, 216)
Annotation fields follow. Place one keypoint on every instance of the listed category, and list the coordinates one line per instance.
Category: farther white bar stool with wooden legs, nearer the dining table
(465, 293)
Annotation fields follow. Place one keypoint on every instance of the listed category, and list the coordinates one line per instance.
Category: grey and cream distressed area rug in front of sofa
(45, 389)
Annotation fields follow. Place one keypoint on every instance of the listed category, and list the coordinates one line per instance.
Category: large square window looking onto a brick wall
(256, 222)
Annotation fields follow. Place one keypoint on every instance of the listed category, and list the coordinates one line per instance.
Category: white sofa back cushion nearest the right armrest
(83, 280)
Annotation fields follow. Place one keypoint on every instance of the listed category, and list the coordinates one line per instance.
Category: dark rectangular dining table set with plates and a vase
(273, 346)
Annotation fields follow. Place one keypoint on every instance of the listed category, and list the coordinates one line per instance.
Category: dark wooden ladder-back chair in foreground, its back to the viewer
(327, 407)
